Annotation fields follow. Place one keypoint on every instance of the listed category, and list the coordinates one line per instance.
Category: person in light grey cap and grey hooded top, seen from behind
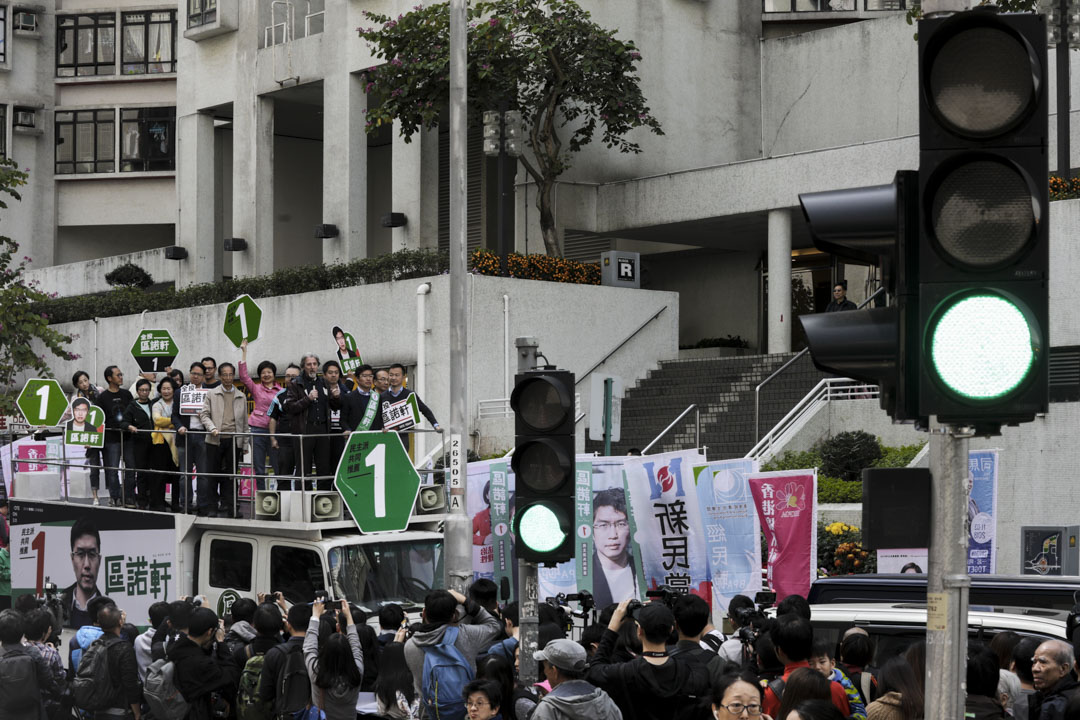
(572, 697)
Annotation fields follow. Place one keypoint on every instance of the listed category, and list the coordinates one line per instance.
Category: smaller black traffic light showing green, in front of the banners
(544, 466)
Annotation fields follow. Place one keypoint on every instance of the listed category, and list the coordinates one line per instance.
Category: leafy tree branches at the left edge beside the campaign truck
(22, 327)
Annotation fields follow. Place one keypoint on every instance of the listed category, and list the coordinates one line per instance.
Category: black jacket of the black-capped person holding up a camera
(644, 691)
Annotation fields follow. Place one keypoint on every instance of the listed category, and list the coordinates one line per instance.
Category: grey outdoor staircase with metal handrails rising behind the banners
(724, 390)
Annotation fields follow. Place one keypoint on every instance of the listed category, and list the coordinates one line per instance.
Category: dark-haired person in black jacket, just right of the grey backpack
(204, 665)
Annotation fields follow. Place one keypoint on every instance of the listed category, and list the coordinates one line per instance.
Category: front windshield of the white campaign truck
(376, 574)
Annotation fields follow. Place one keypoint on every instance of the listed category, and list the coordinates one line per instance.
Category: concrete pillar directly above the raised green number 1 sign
(253, 210)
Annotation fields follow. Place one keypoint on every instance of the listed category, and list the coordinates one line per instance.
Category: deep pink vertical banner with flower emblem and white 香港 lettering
(787, 505)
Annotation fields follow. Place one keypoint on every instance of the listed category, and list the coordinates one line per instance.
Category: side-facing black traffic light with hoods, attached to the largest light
(874, 225)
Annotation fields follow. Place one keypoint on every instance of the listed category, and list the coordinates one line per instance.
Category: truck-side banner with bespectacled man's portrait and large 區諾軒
(87, 552)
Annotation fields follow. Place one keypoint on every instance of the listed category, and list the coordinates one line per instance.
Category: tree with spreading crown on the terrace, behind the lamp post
(570, 78)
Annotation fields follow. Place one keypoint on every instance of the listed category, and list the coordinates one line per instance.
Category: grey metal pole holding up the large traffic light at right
(948, 581)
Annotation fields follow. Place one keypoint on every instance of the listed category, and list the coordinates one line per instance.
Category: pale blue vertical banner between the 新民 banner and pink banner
(732, 531)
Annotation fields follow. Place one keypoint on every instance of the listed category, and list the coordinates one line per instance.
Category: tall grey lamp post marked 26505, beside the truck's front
(458, 533)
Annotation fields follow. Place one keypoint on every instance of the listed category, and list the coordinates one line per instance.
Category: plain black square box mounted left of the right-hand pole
(896, 508)
